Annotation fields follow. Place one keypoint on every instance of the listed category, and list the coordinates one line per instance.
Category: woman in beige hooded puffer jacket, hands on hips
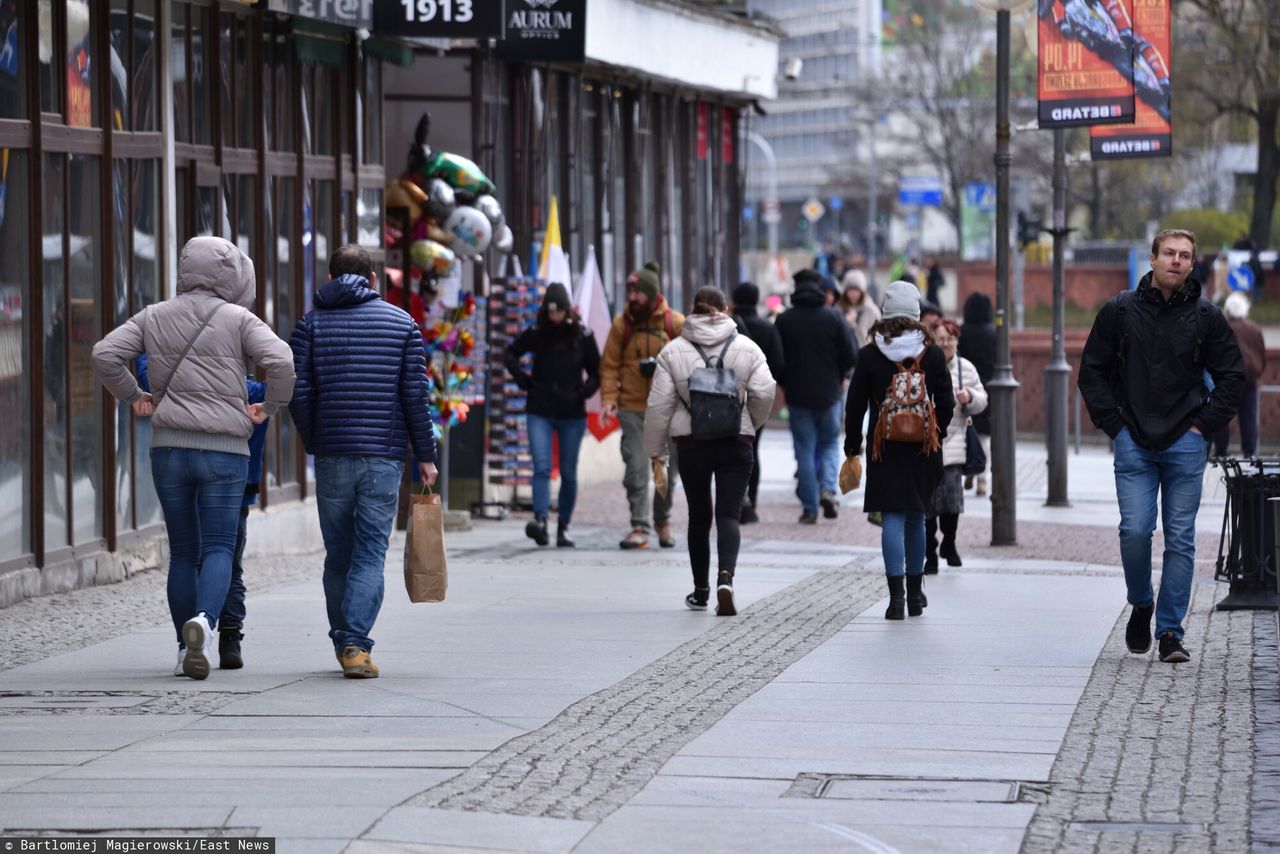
(198, 346)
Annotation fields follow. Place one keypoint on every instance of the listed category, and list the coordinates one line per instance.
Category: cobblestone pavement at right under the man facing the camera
(1159, 757)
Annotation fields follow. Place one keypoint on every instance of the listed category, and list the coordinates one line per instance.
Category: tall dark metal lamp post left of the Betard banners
(1004, 387)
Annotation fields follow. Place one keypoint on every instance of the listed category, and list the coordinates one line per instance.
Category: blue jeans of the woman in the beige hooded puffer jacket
(200, 494)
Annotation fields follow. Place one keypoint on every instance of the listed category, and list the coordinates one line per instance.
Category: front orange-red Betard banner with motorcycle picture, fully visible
(1085, 65)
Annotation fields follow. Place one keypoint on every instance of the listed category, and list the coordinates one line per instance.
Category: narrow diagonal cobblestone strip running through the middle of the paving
(602, 751)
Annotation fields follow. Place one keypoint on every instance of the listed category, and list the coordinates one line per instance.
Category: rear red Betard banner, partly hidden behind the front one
(1151, 134)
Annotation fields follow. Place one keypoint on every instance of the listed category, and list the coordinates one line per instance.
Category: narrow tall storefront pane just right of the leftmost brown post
(54, 398)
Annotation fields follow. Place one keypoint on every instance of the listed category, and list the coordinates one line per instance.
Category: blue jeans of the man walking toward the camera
(1177, 476)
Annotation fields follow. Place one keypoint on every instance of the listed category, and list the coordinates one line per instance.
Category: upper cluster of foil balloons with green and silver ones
(452, 211)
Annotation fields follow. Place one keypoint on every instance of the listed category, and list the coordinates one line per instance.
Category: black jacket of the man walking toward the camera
(1144, 368)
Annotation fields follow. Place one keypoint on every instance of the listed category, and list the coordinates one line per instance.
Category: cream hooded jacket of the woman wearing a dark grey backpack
(666, 414)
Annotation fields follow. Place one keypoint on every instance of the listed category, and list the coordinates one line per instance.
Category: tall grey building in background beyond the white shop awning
(817, 127)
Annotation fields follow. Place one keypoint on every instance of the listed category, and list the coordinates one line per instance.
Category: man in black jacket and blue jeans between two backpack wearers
(820, 353)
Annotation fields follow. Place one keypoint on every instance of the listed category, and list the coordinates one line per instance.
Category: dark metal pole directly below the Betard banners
(1058, 373)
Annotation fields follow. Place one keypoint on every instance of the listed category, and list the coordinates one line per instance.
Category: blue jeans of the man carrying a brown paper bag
(356, 499)
